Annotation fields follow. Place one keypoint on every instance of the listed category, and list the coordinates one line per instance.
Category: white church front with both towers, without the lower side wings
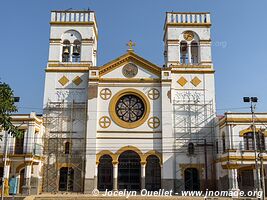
(129, 124)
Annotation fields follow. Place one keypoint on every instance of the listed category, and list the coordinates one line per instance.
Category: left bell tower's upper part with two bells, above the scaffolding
(72, 50)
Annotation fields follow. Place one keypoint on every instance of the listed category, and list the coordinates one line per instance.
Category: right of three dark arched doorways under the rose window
(153, 173)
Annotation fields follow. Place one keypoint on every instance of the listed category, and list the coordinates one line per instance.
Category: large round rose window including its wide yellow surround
(129, 108)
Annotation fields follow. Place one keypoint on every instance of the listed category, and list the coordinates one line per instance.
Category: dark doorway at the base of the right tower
(191, 179)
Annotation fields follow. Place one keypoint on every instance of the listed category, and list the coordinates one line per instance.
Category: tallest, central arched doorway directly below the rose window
(129, 171)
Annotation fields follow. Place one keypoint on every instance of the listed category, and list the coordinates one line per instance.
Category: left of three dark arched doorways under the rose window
(105, 173)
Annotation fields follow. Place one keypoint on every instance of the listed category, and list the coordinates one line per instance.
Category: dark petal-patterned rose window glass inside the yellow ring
(130, 108)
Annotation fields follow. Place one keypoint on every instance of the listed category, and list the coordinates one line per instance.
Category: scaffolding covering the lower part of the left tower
(64, 146)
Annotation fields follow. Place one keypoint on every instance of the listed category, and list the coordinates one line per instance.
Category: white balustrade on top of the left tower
(72, 16)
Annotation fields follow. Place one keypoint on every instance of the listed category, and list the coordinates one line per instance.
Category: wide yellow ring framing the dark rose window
(112, 108)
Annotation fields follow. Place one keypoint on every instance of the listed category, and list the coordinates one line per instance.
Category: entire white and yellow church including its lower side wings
(131, 124)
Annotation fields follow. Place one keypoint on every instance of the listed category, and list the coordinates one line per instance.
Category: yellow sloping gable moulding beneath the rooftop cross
(129, 57)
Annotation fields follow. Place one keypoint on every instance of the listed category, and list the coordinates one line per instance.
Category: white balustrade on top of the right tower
(194, 18)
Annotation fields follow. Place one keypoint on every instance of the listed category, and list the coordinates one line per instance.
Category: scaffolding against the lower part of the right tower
(193, 122)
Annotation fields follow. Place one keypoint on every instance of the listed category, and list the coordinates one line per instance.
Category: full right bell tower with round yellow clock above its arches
(189, 69)
